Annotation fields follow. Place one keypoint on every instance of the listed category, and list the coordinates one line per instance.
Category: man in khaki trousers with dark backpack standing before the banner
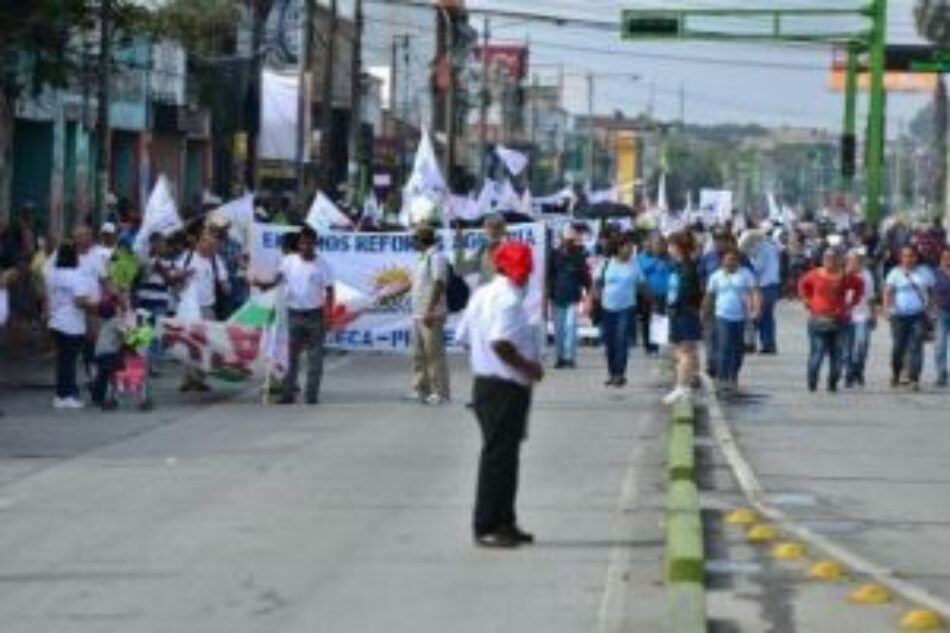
(429, 311)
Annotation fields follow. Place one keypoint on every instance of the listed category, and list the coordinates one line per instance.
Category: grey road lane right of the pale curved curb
(867, 468)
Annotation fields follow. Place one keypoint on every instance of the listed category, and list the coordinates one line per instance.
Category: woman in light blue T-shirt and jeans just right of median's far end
(733, 296)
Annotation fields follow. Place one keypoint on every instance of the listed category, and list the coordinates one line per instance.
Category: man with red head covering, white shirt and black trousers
(505, 359)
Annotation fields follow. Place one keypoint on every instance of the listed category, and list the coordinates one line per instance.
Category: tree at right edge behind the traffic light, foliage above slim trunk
(933, 23)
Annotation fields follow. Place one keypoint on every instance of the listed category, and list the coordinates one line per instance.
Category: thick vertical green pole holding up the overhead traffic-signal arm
(877, 121)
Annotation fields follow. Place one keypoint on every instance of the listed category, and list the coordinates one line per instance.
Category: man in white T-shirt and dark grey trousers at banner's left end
(308, 284)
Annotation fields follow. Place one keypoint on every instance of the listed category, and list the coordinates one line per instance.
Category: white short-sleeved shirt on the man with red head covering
(496, 313)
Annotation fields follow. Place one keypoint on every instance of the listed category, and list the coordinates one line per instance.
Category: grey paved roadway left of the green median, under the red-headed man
(352, 517)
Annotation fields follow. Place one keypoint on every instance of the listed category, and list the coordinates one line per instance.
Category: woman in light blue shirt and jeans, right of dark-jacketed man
(617, 285)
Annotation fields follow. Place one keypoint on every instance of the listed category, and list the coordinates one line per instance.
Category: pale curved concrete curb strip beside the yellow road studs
(758, 500)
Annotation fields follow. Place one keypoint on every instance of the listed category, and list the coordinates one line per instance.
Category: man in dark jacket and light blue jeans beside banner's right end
(568, 279)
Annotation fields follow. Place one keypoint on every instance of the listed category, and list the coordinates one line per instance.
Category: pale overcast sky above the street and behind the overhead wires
(772, 85)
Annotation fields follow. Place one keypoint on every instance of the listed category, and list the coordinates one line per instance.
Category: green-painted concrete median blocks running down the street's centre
(685, 556)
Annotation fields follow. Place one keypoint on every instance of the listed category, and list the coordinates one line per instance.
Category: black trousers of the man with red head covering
(502, 411)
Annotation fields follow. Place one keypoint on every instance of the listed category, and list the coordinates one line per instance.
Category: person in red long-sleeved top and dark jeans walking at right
(830, 294)
